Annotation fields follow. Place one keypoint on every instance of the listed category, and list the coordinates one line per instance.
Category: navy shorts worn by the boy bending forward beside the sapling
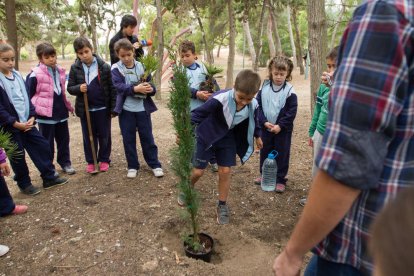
(224, 150)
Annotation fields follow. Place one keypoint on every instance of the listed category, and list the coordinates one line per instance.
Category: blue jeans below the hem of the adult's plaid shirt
(320, 267)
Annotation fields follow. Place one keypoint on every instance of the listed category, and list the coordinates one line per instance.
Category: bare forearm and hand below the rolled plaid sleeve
(327, 203)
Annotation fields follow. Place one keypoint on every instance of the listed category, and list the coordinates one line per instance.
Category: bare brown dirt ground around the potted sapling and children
(110, 225)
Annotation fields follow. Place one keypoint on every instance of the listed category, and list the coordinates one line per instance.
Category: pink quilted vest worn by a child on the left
(43, 99)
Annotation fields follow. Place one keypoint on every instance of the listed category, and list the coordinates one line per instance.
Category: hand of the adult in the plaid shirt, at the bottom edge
(287, 265)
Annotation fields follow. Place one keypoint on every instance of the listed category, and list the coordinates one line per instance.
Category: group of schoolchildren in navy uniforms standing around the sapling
(227, 121)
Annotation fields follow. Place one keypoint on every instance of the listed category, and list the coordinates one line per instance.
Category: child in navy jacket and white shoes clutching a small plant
(134, 106)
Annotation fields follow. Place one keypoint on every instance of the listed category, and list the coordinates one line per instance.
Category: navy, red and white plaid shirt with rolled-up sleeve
(369, 139)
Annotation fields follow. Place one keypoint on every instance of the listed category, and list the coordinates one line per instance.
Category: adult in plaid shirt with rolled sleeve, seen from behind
(367, 154)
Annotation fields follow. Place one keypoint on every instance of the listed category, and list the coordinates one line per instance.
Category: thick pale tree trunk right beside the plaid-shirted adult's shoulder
(317, 44)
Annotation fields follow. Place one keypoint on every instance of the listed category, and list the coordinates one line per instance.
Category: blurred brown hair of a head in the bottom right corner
(392, 236)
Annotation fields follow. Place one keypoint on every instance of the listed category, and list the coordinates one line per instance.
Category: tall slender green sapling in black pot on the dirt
(197, 245)
